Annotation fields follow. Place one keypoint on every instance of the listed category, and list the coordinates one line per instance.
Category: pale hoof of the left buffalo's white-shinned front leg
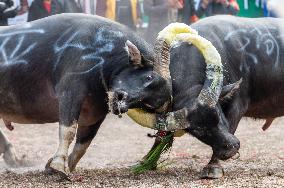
(56, 165)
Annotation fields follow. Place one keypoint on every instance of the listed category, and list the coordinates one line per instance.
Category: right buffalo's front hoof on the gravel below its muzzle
(212, 172)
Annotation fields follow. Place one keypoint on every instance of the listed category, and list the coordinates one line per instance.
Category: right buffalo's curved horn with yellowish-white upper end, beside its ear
(214, 70)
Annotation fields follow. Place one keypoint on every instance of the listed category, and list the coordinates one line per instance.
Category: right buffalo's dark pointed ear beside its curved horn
(230, 90)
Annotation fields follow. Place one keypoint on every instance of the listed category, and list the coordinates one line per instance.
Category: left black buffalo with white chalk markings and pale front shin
(60, 69)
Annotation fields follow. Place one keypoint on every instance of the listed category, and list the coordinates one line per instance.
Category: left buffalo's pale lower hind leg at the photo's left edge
(8, 151)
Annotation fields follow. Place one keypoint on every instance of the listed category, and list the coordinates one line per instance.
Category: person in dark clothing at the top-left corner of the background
(7, 10)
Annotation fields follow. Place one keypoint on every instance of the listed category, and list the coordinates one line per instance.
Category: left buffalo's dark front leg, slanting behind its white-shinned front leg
(84, 137)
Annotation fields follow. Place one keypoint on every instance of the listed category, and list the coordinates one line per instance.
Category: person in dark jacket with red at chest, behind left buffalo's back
(43, 8)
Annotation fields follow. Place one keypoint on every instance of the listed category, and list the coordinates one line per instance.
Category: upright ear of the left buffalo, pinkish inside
(134, 54)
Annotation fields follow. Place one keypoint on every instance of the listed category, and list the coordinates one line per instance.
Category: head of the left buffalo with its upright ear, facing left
(138, 86)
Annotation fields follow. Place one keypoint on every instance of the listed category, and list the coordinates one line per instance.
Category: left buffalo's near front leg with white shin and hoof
(69, 110)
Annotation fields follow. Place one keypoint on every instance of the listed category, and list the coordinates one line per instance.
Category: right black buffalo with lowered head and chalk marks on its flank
(252, 83)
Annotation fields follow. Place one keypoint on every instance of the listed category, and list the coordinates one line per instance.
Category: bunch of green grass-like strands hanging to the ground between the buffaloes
(150, 161)
